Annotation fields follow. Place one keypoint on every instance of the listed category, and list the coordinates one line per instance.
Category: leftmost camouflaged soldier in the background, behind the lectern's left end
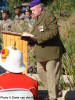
(5, 24)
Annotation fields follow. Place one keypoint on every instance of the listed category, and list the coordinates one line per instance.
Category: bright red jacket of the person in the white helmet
(13, 80)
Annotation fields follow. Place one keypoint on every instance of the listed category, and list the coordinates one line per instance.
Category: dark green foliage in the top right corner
(62, 7)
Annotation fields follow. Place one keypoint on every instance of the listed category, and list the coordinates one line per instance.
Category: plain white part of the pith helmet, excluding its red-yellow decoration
(14, 61)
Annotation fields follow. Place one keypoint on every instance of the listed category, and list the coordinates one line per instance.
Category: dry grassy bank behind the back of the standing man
(67, 34)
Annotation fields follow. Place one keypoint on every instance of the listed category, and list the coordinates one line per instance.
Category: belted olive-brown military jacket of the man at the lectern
(49, 45)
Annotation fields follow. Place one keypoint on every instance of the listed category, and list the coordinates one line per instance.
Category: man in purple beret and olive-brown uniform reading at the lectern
(48, 47)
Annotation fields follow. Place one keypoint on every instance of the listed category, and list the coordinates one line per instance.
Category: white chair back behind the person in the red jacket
(16, 94)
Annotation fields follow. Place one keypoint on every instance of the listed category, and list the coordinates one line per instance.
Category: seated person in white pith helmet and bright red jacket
(11, 59)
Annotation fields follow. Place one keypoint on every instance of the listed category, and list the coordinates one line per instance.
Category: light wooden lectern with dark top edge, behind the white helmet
(9, 38)
